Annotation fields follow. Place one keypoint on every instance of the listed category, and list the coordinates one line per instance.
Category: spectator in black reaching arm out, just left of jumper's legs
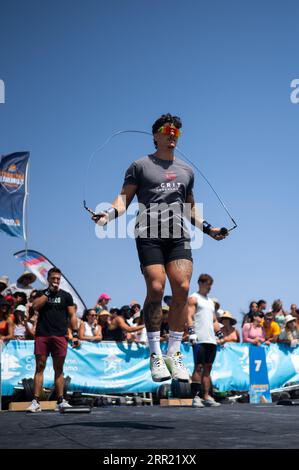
(117, 328)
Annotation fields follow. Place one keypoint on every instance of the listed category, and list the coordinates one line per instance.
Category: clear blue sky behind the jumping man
(76, 71)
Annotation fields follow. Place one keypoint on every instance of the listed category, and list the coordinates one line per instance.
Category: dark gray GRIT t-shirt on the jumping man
(162, 190)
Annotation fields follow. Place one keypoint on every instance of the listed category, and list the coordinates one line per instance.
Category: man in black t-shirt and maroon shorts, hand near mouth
(56, 309)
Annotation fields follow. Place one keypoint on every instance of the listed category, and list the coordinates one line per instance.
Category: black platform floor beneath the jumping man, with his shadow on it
(237, 426)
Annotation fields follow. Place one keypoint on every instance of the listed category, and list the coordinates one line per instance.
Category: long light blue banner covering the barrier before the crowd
(110, 367)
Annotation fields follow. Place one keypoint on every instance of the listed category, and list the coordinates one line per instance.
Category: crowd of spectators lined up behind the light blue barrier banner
(104, 323)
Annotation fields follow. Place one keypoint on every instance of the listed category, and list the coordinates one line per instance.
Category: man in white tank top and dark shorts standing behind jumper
(203, 332)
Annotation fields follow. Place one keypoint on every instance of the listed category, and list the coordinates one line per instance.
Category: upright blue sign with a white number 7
(259, 387)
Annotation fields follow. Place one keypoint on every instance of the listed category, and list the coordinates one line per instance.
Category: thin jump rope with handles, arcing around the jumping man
(224, 230)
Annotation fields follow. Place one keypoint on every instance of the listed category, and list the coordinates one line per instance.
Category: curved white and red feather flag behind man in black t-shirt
(39, 265)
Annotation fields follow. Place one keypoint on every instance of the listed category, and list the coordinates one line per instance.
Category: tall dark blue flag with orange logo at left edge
(13, 193)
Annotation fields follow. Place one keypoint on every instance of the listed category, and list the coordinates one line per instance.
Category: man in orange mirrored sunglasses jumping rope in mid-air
(161, 179)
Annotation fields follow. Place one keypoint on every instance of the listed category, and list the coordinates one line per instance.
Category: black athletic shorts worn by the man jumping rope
(162, 250)
